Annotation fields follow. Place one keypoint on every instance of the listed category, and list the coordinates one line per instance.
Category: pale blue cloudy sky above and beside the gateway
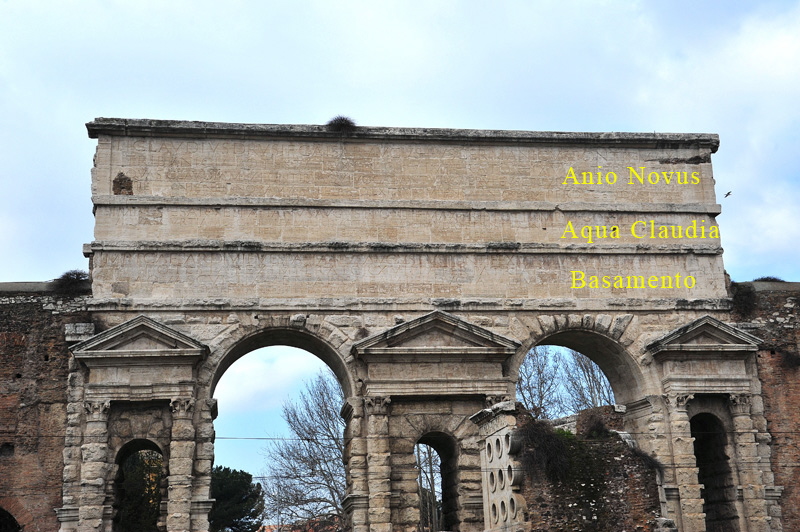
(727, 67)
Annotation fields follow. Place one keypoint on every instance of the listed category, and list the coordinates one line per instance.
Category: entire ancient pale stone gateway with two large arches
(421, 265)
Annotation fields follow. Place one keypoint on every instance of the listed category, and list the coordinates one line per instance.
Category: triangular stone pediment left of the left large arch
(141, 335)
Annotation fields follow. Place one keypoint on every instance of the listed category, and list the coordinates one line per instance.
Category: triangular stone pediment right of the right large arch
(706, 334)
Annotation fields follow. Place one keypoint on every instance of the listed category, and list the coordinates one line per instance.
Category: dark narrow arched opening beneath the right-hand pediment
(714, 472)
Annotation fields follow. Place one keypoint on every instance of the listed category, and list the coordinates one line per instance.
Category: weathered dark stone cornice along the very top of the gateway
(185, 129)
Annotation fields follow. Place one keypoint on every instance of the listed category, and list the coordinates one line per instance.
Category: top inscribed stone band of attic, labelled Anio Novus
(202, 160)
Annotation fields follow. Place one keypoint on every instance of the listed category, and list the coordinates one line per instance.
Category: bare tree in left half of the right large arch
(539, 384)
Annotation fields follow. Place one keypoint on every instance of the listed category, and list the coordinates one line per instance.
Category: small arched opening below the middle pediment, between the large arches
(438, 481)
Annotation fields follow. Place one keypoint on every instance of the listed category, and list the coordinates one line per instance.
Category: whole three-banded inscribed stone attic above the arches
(236, 211)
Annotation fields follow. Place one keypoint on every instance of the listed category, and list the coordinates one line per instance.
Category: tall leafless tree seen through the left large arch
(305, 477)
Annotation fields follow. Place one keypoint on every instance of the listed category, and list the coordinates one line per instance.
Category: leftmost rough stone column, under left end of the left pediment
(95, 466)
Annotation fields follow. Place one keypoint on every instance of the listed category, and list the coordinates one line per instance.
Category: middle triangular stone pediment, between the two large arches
(437, 330)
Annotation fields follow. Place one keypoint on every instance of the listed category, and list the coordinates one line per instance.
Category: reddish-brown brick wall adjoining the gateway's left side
(34, 364)
